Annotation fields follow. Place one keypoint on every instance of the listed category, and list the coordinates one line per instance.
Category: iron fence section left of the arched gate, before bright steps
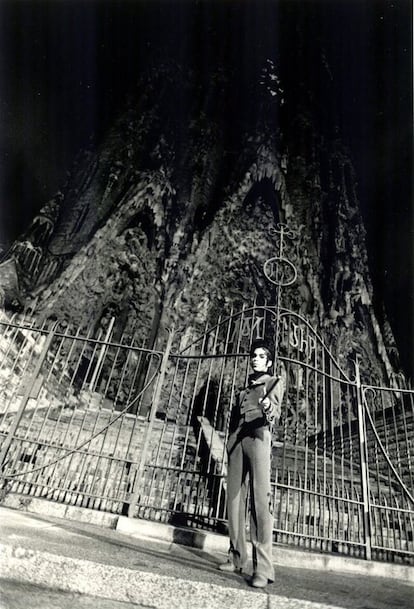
(73, 412)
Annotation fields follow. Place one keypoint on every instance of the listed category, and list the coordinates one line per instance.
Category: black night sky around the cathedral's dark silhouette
(66, 66)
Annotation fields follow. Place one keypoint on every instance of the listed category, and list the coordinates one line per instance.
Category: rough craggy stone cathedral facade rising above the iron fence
(171, 217)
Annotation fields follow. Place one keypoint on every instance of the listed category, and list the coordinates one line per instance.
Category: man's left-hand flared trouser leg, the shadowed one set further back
(237, 479)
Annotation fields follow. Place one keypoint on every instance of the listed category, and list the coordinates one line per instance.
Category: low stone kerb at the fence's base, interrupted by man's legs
(207, 541)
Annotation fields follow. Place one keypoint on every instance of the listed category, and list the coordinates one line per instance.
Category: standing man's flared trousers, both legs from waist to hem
(249, 460)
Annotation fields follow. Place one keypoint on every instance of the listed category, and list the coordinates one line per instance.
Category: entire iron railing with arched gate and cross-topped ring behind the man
(96, 422)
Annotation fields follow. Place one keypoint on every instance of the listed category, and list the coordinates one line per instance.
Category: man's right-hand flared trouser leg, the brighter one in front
(258, 452)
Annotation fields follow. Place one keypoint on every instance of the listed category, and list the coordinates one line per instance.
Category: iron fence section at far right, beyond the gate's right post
(389, 424)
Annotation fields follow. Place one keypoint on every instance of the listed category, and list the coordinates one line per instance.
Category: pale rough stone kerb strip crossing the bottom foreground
(139, 587)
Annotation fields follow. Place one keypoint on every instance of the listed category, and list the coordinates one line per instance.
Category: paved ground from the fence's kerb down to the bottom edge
(132, 561)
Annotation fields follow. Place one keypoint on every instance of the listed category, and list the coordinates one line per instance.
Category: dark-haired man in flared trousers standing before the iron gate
(249, 461)
